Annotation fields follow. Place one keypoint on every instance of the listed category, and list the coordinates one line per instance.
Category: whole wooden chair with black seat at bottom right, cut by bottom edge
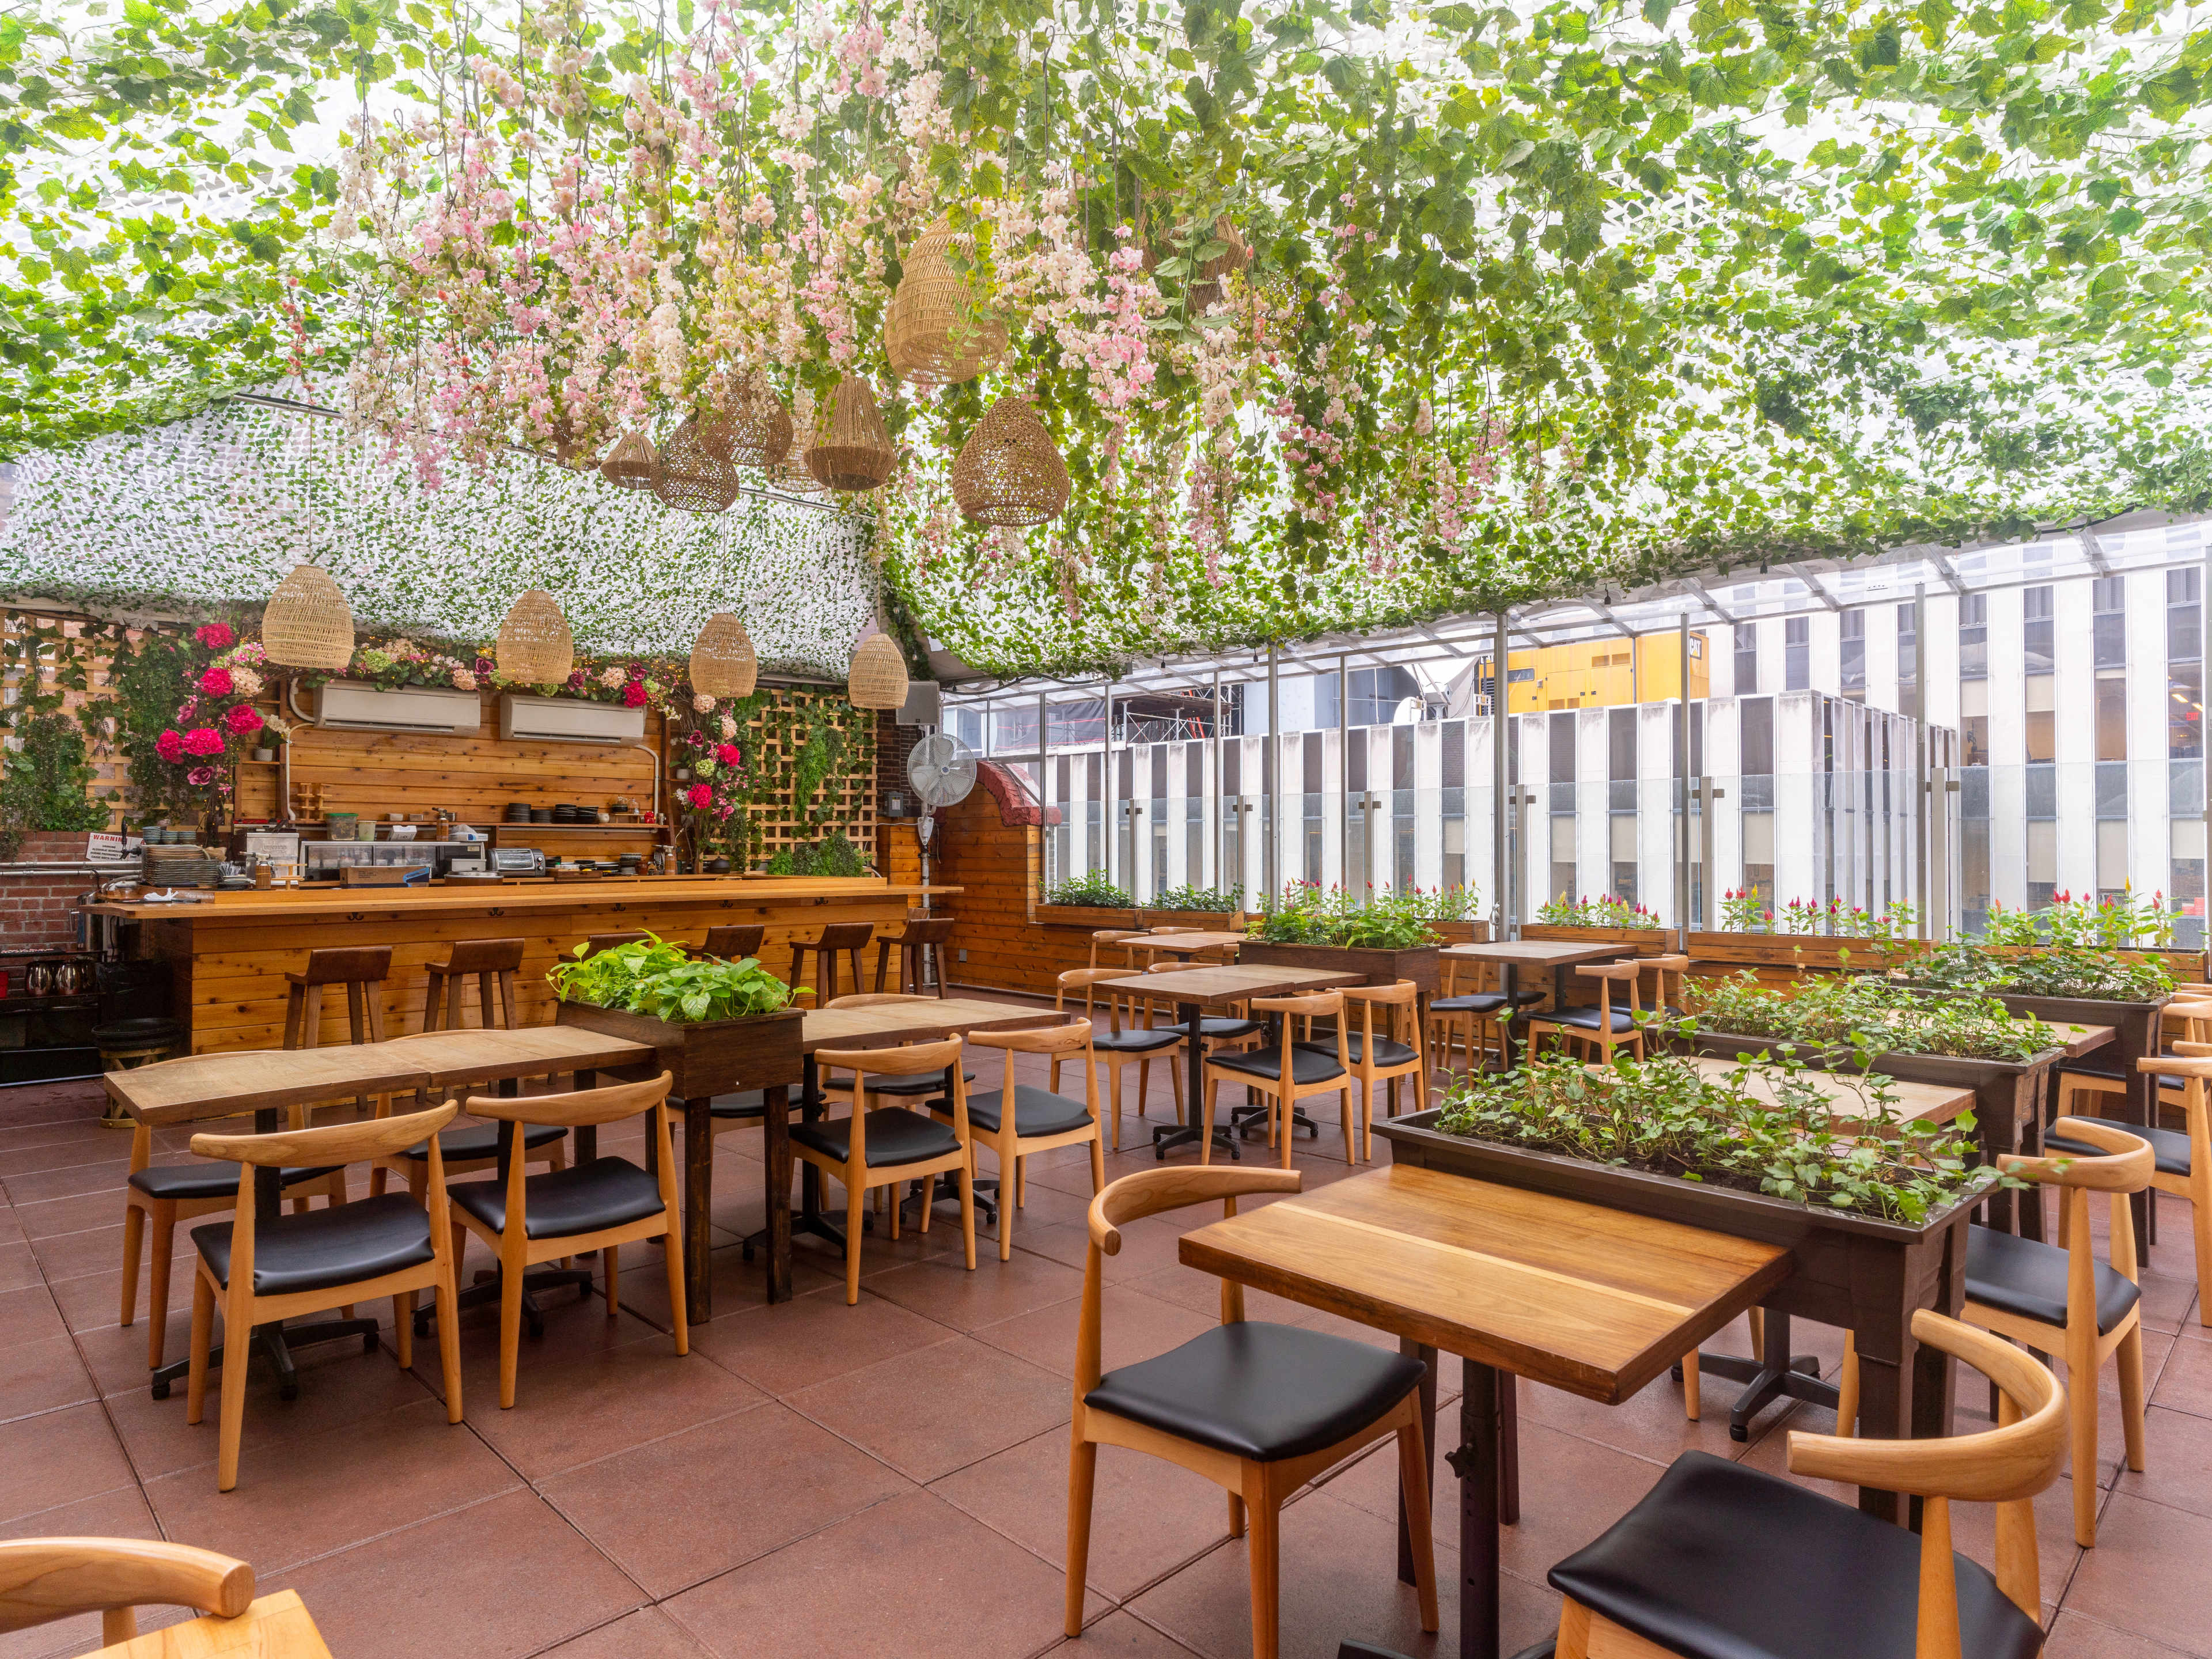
(1729, 1563)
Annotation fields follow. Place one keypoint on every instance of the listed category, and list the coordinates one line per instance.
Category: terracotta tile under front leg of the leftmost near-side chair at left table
(317, 1494)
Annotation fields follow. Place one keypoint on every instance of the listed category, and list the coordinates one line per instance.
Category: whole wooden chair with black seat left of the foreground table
(1255, 1408)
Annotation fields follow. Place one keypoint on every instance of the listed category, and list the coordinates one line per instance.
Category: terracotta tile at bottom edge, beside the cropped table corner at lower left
(501, 1580)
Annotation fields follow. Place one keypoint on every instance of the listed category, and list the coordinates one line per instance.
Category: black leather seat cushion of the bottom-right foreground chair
(1724, 1563)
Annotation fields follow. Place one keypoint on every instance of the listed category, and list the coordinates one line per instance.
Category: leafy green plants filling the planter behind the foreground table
(1667, 1118)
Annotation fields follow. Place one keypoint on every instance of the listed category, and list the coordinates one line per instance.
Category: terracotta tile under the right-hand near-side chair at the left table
(585, 1410)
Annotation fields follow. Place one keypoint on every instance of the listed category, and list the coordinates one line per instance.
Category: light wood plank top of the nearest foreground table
(1587, 1300)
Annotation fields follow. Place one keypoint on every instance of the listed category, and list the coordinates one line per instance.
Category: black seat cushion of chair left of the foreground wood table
(1260, 1390)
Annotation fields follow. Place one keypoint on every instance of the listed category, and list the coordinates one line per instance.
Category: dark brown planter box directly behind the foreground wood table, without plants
(1846, 1269)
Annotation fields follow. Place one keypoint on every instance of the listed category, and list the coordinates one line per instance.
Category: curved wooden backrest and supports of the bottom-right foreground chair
(2005, 1468)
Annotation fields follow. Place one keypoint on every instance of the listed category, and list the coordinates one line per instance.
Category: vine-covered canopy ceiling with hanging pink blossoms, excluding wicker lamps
(1538, 298)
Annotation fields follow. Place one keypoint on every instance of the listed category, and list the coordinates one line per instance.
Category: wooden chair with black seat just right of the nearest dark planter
(2060, 1300)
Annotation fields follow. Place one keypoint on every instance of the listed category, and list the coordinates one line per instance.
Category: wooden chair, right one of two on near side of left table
(567, 1213)
